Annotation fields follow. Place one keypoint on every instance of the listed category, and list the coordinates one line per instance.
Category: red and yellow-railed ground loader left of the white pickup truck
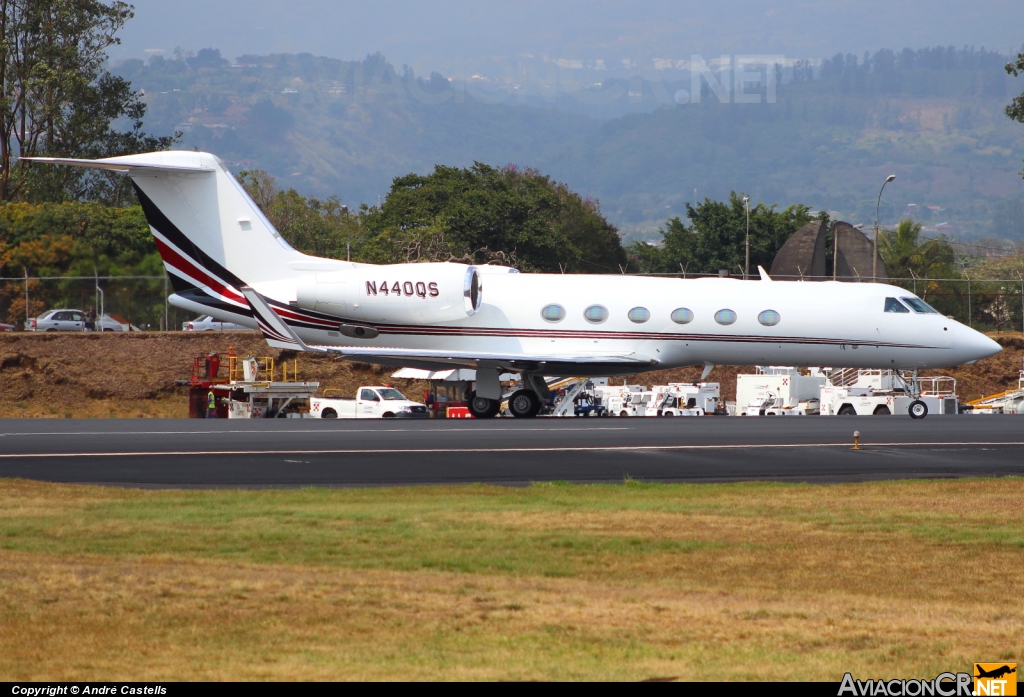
(246, 388)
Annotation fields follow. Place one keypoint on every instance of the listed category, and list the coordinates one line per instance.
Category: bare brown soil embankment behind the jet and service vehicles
(133, 375)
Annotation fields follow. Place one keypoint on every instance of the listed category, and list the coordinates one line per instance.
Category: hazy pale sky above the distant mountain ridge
(454, 35)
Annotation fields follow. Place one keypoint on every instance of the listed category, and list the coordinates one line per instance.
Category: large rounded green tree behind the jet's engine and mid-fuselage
(485, 214)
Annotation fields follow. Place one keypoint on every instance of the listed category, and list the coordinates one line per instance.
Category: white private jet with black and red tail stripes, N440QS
(226, 259)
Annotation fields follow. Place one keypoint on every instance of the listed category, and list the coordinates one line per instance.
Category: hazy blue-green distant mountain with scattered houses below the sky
(834, 133)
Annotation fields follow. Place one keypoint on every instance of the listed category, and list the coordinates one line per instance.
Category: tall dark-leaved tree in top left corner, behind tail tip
(57, 100)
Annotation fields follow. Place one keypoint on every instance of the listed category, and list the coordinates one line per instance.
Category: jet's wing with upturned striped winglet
(280, 335)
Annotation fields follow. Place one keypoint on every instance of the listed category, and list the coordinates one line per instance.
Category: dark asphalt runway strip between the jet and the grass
(370, 453)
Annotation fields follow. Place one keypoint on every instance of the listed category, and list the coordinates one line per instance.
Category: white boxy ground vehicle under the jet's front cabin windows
(779, 390)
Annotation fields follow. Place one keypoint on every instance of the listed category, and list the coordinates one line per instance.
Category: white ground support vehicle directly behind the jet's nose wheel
(880, 393)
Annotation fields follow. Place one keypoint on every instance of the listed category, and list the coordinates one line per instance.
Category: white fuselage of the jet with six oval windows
(837, 325)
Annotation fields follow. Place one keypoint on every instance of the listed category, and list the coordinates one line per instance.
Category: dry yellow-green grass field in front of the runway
(739, 582)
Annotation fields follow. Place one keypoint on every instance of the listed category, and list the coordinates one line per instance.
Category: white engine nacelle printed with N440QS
(418, 294)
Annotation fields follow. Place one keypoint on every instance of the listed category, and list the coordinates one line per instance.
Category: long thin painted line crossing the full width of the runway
(590, 449)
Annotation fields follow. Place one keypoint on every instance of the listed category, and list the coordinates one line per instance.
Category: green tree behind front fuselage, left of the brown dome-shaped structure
(715, 239)
